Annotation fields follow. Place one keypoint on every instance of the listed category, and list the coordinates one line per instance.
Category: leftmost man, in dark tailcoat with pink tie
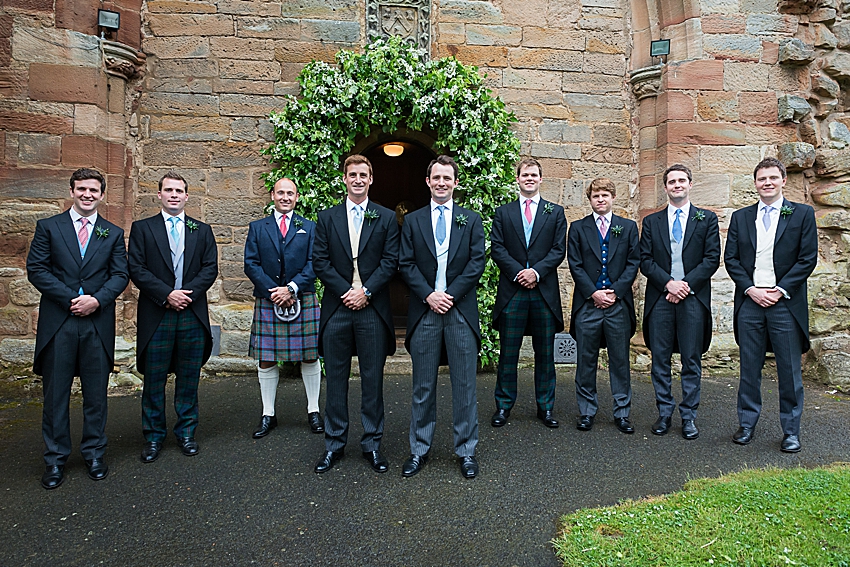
(78, 262)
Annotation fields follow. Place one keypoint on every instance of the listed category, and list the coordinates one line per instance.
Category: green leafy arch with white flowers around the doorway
(388, 86)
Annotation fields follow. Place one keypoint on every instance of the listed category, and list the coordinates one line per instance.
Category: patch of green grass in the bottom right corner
(753, 518)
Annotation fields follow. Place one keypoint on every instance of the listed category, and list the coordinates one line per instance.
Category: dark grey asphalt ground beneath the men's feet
(246, 502)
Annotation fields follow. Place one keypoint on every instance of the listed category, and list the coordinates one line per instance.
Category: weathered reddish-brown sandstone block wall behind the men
(745, 79)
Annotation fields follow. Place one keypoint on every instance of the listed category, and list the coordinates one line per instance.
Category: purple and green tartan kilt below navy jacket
(273, 339)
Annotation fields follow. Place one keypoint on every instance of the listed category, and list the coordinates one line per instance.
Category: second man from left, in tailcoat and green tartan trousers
(173, 261)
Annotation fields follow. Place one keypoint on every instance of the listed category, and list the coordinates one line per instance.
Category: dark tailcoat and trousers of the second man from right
(683, 327)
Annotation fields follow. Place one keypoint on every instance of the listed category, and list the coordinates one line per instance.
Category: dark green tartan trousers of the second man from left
(179, 336)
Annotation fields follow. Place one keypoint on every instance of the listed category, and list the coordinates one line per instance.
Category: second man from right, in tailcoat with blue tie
(679, 252)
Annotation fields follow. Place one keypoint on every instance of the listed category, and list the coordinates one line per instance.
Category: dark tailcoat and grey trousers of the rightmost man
(782, 328)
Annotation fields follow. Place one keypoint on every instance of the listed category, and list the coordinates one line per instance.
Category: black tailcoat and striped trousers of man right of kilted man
(367, 333)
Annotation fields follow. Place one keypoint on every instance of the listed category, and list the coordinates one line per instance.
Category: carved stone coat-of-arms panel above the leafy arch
(408, 19)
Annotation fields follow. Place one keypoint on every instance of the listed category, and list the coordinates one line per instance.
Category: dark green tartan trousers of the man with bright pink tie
(526, 309)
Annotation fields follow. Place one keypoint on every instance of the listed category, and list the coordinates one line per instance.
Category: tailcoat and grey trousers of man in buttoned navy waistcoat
(612, 327)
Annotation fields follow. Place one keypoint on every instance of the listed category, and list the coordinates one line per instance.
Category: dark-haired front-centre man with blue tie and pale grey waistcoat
(441, 260)
